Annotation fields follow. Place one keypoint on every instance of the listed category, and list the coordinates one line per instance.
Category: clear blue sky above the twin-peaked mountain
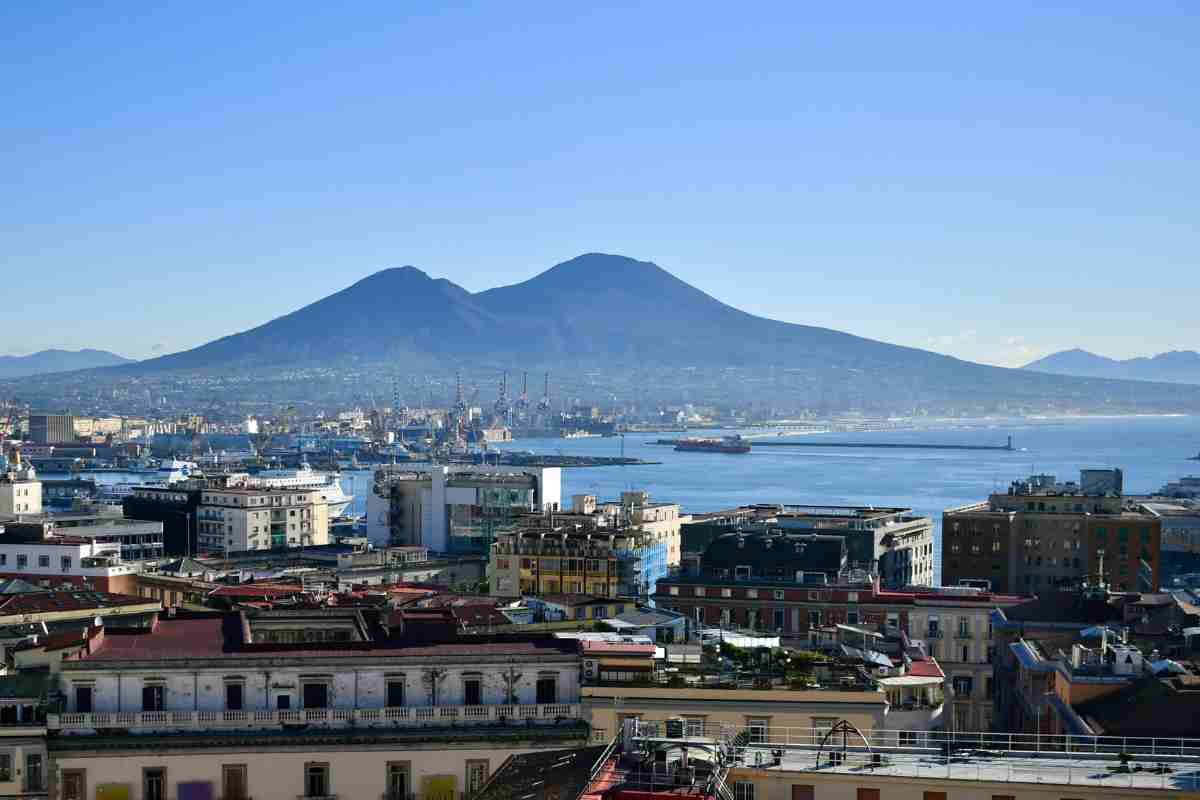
(991, 181)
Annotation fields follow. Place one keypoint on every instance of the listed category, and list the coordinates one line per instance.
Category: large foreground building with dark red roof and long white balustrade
(305, 705)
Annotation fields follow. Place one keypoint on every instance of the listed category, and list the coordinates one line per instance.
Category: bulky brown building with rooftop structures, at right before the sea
(1043, 534)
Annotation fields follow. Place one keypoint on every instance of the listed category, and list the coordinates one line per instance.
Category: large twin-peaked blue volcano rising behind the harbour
(619, 316)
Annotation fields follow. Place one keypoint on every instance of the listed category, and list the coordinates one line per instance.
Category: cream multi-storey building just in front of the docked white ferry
(237, 519)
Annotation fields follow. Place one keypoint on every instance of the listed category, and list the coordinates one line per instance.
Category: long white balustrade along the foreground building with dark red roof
(381, 718)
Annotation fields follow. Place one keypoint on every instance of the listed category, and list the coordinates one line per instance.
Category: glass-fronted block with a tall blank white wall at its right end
(457, 509)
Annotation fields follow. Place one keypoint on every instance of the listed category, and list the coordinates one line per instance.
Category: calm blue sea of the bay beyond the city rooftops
(1151, 452)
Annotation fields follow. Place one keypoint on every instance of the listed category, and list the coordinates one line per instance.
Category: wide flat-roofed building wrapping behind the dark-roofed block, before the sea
(895, 543)
